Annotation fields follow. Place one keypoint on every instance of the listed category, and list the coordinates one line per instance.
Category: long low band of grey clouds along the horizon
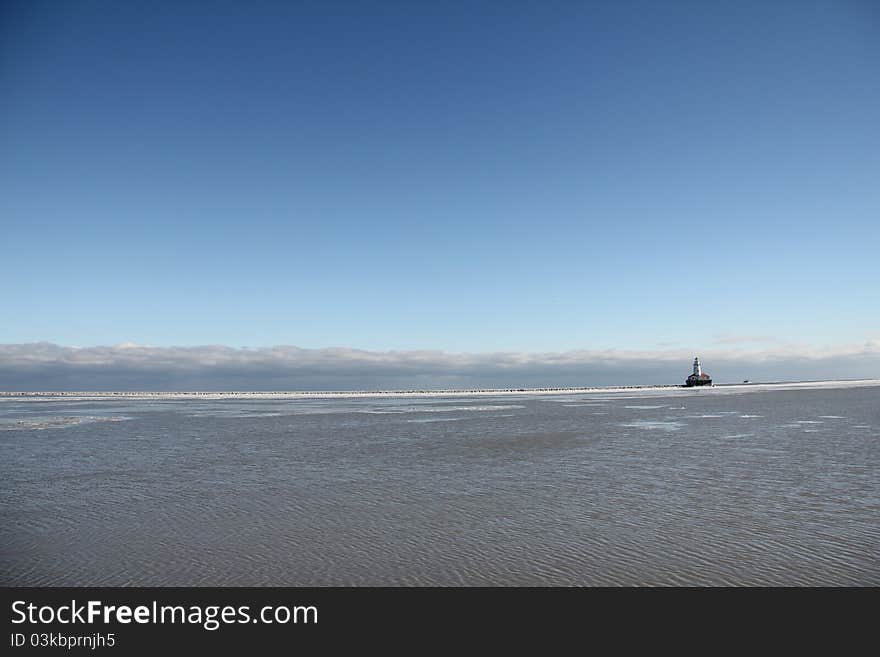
(127, 366)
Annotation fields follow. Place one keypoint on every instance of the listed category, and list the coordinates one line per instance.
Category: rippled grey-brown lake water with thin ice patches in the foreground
(681, 487)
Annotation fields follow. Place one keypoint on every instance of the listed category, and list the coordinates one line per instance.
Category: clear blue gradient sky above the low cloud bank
(469, 177)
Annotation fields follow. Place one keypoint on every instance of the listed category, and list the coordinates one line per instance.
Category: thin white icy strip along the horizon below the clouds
(183, 395)
